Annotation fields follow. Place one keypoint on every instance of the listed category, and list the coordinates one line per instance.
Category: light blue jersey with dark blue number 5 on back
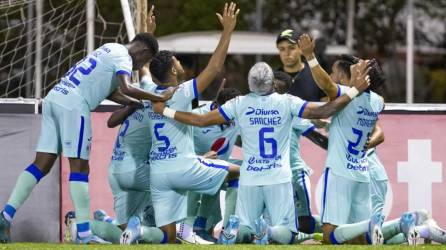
(172, 141)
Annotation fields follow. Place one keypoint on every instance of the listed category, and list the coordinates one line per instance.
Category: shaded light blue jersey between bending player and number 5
(133, 142)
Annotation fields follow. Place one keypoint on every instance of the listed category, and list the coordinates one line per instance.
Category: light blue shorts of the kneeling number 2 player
(344, 201)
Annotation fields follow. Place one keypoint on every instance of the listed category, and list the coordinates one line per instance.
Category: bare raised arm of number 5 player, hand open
(228, 20)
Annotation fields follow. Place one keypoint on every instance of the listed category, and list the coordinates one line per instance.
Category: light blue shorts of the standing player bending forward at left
(66, 130)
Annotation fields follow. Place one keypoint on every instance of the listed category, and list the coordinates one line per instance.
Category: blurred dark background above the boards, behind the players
(365, 28)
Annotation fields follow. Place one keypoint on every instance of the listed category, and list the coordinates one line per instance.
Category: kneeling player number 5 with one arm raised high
(174, 166)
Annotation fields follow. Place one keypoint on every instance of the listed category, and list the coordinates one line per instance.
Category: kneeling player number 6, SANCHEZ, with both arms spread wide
(264, 118)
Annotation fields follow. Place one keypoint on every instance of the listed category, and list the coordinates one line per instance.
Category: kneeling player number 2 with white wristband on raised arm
(346, 199)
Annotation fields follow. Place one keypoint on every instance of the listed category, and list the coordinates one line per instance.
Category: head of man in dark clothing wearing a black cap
(289, 52)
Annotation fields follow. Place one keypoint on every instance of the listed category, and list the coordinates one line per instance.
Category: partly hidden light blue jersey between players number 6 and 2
(299, 127)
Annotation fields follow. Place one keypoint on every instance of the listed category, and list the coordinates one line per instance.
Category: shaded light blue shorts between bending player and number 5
(131, 194)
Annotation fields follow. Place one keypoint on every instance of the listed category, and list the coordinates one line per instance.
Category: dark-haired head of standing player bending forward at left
(143, 47)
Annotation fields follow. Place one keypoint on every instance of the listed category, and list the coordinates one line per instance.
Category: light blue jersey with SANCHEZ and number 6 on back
(265, 126)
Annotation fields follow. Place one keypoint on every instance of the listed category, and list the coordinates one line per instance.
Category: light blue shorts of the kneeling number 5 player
(169, 189)
